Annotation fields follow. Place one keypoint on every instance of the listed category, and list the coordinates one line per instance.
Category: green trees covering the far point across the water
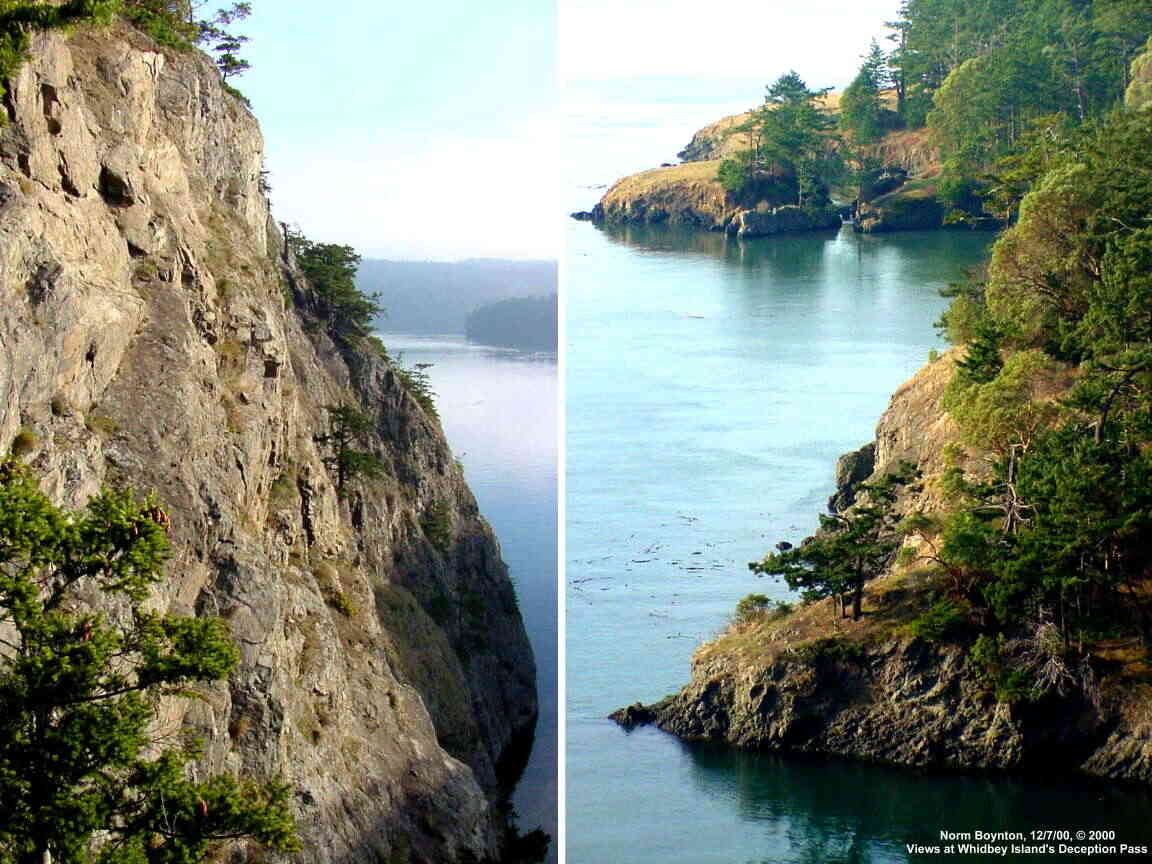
(986, 80)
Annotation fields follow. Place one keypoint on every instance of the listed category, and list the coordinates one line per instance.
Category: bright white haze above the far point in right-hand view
(641, 77)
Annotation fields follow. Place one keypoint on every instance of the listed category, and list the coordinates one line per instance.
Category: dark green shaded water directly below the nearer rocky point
(846, 812)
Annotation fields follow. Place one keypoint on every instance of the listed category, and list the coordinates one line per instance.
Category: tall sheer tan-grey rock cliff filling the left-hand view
(155, 334)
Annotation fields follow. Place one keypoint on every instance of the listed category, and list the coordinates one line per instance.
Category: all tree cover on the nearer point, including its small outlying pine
(1041, 559)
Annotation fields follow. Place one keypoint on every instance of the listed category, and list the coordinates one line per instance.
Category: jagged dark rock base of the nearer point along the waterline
(904, 702)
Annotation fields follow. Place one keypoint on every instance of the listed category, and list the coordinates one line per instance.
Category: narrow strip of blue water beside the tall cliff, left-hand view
(499, 412)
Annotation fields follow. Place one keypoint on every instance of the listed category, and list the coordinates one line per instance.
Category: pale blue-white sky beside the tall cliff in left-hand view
(411, 131)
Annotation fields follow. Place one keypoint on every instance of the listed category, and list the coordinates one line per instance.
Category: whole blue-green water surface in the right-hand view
(711, 386)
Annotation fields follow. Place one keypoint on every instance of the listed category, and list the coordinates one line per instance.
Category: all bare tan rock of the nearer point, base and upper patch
(812, 681)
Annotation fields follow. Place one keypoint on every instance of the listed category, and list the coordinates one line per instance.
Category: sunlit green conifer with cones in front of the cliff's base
(81, 778)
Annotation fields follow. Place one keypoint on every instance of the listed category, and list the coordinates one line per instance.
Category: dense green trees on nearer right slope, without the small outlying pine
(1057, 388)
